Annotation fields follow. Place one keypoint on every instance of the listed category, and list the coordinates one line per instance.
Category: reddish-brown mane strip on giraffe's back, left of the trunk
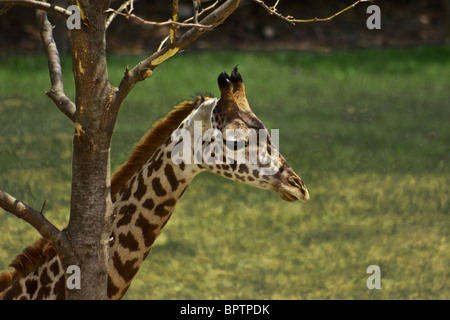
(27, 261)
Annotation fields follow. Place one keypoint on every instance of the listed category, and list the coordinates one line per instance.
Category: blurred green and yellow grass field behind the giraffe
(368, 131)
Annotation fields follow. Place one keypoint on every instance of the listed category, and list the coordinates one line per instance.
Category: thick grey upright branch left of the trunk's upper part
(56, 93)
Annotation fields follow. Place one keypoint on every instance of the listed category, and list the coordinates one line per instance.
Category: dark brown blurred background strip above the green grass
(404, 23)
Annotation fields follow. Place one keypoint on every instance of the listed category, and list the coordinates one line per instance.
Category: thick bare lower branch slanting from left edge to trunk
(30, 215)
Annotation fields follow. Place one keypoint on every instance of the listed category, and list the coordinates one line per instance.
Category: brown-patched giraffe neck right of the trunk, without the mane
(142, 208)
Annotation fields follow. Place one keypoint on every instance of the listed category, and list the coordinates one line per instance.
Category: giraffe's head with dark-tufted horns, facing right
(231, 141)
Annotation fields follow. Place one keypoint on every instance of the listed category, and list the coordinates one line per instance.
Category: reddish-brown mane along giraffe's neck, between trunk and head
(148, 144)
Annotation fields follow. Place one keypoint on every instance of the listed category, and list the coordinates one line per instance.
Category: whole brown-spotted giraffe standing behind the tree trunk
(147, 187)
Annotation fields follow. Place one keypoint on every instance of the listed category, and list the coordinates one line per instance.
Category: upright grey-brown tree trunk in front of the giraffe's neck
(91, 203)
